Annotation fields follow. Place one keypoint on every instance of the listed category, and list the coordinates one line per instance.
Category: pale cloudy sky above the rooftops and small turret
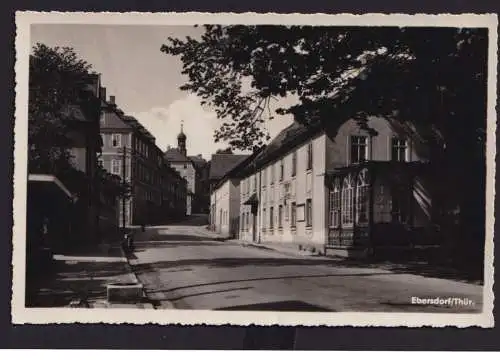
(144, 80)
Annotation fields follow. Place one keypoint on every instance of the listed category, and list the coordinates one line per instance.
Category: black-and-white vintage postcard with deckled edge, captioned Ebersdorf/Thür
(197, 168)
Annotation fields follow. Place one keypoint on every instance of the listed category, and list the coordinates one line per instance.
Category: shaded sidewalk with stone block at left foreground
(78, 278)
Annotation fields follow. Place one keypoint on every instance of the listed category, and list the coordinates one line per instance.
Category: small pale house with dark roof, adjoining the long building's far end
(220, 166)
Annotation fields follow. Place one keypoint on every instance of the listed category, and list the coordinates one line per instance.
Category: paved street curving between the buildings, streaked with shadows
(183, 266)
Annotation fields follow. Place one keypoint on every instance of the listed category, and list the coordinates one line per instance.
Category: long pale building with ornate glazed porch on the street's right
(348, 189)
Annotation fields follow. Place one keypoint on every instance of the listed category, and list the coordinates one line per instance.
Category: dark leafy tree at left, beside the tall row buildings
(57, 79)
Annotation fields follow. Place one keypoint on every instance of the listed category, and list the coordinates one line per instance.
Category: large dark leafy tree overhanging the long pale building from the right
(431, 78)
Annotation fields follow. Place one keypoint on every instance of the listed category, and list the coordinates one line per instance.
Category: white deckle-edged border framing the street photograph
(23, 315)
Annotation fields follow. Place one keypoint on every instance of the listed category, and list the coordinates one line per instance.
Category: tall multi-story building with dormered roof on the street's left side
(129, 150)
